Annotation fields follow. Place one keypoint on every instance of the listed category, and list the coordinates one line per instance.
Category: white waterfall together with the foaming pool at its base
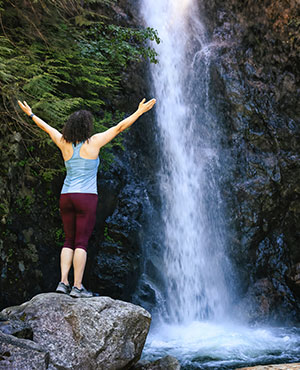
(193, 278)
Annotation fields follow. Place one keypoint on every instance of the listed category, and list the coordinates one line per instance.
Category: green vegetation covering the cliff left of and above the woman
(59, 56)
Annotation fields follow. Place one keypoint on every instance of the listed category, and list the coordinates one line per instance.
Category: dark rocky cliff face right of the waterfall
(255, 78)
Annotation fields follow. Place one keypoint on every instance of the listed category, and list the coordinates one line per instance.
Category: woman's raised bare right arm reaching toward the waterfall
(105, 137)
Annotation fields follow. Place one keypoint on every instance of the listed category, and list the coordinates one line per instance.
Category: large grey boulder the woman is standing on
(67, 333)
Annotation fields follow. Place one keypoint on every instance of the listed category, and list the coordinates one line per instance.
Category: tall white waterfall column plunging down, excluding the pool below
(194, 262)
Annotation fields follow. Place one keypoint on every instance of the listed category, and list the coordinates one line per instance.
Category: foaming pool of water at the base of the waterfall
(206, 345)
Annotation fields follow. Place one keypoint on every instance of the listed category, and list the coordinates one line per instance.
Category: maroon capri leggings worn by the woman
(78, 213)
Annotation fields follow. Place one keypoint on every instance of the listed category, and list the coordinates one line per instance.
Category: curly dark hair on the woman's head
(79, 127)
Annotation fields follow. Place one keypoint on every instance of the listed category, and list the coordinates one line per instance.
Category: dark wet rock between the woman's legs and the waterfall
(115, 263)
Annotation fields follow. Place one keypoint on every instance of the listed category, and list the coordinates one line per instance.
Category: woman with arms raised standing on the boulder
(78, 199)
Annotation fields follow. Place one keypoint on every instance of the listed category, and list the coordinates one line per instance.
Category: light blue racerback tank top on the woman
(81, 173)
